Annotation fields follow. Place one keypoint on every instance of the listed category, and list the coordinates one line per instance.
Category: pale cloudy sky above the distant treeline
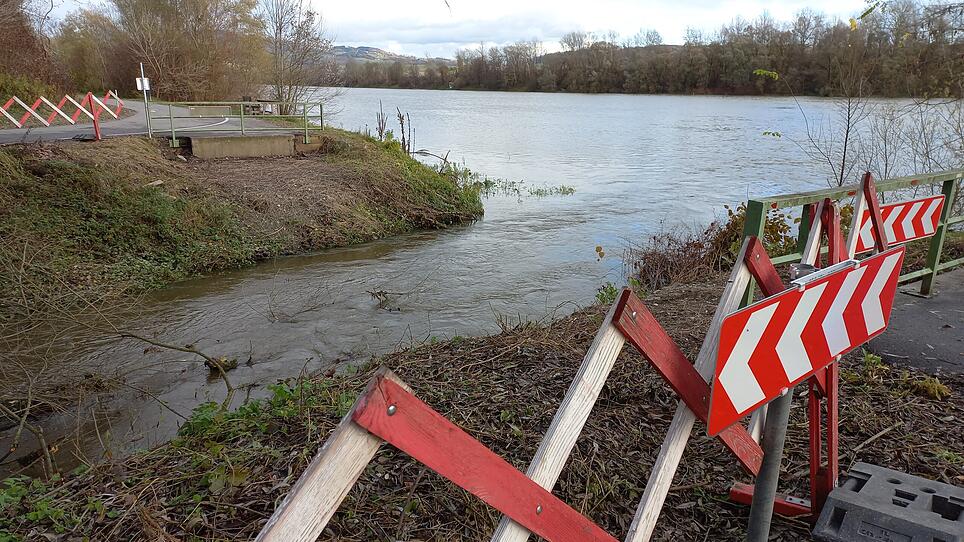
(429, 27)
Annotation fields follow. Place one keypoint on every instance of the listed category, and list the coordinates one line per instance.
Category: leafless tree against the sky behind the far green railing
(298, 47)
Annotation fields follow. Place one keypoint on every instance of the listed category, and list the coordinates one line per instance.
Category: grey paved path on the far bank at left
(136, 124)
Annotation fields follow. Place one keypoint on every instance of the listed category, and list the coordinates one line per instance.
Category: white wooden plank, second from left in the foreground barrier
(566, 426)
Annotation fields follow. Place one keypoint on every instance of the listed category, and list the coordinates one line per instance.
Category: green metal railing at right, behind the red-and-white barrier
(756, 212)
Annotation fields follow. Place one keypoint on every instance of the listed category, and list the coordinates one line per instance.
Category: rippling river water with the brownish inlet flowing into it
(638, 164)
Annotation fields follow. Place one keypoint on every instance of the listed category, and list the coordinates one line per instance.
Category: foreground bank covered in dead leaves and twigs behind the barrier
(225, 472)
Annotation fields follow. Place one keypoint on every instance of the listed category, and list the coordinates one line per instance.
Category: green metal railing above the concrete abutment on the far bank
(297, 116)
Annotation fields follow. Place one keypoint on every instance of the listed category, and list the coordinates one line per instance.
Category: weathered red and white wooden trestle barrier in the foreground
(388, 410)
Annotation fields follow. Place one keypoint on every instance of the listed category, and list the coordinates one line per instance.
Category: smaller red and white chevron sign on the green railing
(902, 222)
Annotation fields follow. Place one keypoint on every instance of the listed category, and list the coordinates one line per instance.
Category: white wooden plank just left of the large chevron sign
(671, 452)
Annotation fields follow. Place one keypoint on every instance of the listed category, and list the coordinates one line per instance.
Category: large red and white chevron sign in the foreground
(771, 345)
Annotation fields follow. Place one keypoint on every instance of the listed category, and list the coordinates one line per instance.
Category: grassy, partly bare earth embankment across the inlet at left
(126, 212)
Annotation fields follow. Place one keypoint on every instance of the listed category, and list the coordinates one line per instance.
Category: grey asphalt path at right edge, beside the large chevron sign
(927, 333)
